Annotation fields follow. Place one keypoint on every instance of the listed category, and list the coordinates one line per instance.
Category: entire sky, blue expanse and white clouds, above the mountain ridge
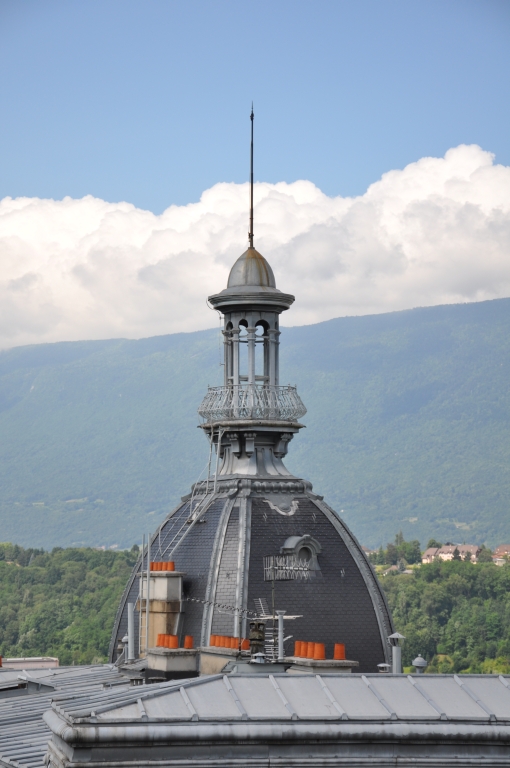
(382, 158)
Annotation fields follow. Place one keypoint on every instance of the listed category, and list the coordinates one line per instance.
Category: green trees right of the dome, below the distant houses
(456, 614)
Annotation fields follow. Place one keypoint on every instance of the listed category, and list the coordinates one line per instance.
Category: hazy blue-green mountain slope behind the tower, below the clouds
(408, 427)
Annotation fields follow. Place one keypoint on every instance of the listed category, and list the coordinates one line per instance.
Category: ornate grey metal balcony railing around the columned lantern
(251, 402)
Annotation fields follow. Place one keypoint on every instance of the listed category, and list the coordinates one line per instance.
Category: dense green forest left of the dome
(60, 603)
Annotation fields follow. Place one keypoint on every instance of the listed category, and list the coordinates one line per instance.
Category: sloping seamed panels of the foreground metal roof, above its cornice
(470, 698)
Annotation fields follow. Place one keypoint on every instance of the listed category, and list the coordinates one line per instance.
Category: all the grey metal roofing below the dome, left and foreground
(454, 716)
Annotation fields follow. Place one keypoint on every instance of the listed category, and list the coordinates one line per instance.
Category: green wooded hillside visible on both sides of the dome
(62, 603)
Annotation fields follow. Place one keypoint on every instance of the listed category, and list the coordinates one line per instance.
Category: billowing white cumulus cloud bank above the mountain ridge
(436, 232)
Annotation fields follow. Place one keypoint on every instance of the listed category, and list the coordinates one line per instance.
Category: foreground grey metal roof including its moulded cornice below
(253, 721)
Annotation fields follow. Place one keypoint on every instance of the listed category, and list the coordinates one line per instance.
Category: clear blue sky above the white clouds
(148, 101)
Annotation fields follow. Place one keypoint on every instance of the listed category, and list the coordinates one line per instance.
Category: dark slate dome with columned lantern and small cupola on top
(251, 507)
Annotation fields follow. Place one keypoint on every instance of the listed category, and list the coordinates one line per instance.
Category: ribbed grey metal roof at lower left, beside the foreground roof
(23, 733)
